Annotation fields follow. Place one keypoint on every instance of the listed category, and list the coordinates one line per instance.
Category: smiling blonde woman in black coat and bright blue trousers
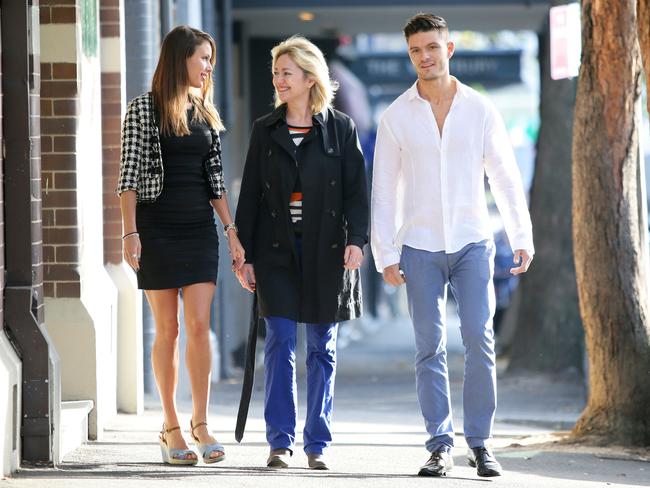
(302, 217)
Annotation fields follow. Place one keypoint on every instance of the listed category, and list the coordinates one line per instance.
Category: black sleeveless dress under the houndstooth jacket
(180, 244)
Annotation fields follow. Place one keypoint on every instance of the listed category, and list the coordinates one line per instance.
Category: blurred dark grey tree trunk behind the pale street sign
(549, 336)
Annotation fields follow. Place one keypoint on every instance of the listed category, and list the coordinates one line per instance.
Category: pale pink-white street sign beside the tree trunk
(565, 41)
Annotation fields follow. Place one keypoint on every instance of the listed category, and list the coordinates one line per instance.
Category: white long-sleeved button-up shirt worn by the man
(428, 188)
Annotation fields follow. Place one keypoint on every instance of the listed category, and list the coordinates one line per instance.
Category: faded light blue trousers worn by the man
(468, 273)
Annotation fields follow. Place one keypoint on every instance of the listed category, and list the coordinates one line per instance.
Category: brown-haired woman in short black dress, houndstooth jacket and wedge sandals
(171, 178)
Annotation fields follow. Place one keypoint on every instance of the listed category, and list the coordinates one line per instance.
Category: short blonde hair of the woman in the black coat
(311, 61)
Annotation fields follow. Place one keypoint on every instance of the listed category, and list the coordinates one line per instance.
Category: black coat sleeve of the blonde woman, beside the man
(355, 189)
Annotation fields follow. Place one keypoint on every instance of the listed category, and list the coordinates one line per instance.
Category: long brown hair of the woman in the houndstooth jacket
(170, 83)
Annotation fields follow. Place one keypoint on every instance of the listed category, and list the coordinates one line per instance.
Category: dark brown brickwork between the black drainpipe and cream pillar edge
(59, 110)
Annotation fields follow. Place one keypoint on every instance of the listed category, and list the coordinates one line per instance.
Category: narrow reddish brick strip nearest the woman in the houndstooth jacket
(112, 104)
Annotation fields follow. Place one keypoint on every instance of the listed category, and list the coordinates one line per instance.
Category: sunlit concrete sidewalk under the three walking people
(378, 436)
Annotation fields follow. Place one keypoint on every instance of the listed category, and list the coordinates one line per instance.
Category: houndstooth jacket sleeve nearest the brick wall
(131, 153)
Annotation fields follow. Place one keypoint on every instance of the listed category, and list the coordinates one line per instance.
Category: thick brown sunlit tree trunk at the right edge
(608, 228)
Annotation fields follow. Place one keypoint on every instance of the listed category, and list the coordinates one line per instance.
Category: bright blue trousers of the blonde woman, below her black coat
(280, 384)
